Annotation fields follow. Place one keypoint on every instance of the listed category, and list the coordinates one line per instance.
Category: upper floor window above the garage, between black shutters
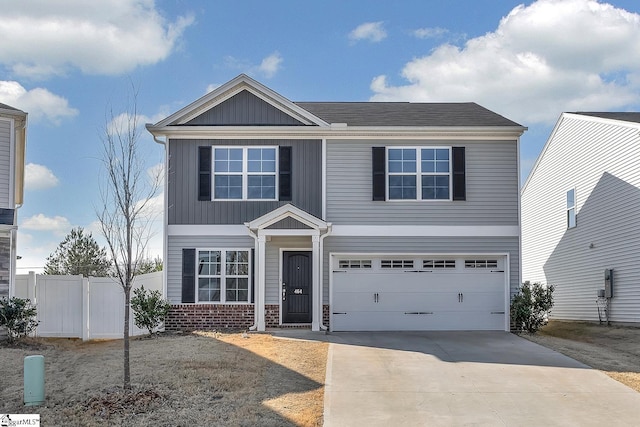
(420, 173)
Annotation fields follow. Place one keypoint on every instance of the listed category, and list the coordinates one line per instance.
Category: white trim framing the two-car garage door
(333, 256)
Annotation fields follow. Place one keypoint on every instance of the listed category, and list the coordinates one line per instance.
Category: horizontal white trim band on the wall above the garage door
(427, 230)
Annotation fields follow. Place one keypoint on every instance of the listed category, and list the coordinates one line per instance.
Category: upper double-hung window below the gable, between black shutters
(245, 173)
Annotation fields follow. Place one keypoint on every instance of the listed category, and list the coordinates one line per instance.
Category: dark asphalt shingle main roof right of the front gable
(406, 114)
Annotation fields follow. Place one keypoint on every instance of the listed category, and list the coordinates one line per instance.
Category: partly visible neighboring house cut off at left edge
(13, 124)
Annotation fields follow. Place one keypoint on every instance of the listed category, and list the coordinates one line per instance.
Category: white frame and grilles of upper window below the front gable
(245, 172)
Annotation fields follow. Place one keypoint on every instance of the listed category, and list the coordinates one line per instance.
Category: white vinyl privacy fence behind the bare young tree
(78, 307)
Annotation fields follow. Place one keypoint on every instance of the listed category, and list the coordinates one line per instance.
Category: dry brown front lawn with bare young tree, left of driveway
(179, 380)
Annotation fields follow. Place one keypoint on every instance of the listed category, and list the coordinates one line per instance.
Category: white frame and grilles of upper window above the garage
(418, 173)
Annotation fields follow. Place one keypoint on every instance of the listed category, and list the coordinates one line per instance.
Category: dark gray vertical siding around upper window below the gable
(183, 204)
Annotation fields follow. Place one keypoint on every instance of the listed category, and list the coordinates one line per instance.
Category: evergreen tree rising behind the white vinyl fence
(78, 253)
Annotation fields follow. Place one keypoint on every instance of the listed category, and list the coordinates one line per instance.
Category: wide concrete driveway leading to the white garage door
(466, 379)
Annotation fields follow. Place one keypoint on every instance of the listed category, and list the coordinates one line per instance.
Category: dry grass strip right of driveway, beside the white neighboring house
(615, 350)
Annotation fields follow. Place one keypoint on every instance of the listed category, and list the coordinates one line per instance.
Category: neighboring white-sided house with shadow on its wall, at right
(581, 215)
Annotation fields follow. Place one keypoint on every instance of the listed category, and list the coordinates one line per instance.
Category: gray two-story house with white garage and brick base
(340, 215)
